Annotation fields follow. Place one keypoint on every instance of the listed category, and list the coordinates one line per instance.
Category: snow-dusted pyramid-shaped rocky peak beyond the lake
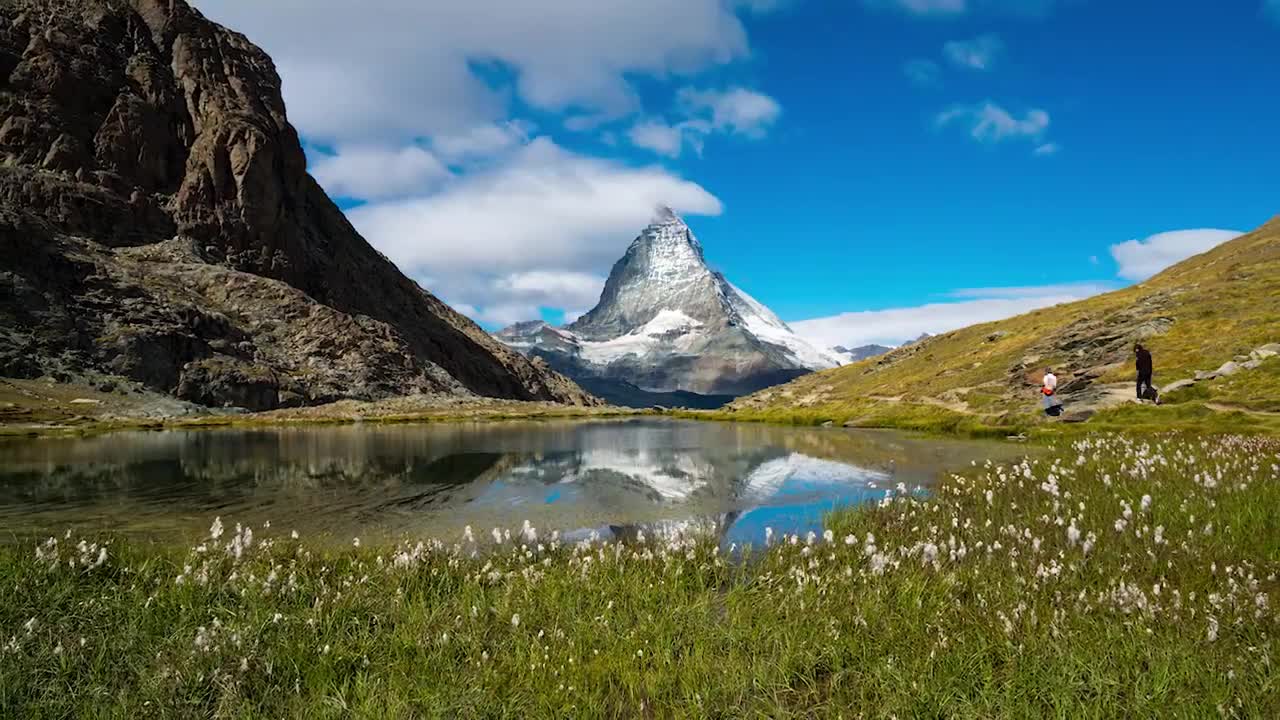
(671, 331)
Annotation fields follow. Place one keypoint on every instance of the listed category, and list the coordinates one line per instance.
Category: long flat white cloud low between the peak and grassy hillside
(900, 325)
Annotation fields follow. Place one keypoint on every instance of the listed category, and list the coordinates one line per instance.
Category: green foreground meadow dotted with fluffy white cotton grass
(975, 603)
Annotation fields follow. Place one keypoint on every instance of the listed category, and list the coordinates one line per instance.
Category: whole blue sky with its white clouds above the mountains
(871, 170)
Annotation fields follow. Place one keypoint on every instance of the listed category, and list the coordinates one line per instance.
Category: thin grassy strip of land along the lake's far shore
(76, 411)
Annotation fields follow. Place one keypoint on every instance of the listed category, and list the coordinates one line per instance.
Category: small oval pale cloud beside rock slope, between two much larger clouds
(378, 172)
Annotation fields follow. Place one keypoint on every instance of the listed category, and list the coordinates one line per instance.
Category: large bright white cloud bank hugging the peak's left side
(540, 230)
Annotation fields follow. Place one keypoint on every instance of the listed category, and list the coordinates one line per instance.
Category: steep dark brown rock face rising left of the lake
(157, 222)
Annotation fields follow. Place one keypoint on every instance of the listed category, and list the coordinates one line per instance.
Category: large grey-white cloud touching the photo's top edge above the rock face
(391, 71)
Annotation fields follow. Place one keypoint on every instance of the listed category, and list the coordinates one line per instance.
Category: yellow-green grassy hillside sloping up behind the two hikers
(1194, 317)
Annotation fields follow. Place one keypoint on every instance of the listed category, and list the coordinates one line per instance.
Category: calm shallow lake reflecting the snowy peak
(385, 482)
